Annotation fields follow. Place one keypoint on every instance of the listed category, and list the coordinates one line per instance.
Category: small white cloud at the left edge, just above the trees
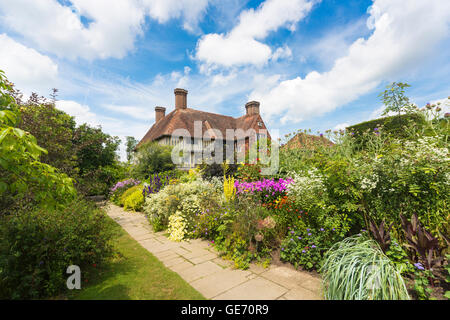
(29, 70)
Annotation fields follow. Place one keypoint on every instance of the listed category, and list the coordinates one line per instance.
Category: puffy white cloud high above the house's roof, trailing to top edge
(241, 46)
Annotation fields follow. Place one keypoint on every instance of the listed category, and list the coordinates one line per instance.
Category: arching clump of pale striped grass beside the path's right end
(357, 269)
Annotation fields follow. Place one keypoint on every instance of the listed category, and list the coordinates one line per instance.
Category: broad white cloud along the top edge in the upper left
(111, 29)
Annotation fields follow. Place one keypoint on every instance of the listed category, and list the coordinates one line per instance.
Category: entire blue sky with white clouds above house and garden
(311, 64)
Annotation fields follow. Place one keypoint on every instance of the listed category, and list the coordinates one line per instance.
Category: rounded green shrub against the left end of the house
(152, 158)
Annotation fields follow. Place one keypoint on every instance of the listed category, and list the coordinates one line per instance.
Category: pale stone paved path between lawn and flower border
(199, 264)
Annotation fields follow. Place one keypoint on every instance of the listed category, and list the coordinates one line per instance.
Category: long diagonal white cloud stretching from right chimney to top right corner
(403, 36)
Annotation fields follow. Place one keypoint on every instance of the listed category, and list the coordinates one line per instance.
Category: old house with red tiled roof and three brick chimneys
(203, 131)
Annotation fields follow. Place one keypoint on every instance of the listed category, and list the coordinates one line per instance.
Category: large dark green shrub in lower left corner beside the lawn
(37, 246)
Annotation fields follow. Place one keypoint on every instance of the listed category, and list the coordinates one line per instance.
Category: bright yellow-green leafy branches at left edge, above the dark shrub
(23, 177)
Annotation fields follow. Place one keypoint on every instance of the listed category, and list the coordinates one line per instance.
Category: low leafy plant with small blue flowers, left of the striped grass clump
(306, 247)
